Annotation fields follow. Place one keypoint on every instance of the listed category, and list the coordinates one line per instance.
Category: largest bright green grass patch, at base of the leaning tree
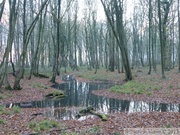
(132, 87)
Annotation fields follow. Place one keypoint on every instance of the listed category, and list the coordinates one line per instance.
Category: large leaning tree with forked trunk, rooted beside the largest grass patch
(119, 32)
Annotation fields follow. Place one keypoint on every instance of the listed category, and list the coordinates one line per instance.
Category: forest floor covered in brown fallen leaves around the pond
(23, 121)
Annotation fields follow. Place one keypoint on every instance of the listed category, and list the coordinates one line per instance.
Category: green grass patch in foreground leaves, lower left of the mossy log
(44, 125)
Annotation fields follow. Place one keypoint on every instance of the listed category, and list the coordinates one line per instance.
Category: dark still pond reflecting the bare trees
(79, 95)
